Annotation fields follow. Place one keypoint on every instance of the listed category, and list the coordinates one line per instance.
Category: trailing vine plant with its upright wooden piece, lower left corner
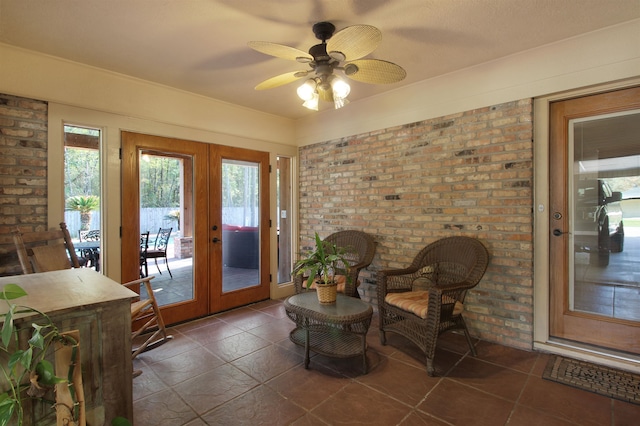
(28, 374)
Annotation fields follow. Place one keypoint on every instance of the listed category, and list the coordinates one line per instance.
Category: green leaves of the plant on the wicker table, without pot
(322, 263)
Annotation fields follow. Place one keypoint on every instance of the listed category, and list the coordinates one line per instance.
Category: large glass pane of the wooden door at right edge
(605, 215)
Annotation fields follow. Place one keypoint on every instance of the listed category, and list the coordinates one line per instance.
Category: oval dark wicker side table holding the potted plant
(338, 330)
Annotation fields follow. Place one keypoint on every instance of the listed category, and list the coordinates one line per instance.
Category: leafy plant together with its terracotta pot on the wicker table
(322, 264)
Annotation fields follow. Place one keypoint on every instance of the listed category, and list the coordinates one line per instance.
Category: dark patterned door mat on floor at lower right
(602, 380)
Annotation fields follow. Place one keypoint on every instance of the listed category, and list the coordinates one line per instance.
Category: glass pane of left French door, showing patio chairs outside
(166, 223)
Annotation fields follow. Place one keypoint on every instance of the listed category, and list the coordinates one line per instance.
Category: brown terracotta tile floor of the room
(213, 373)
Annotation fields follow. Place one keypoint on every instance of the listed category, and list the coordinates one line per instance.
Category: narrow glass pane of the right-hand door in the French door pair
(240, 225)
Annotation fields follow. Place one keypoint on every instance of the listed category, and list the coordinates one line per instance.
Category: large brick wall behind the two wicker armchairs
(463, 174)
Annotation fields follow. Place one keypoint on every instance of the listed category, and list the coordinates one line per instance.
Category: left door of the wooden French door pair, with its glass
(164, 224)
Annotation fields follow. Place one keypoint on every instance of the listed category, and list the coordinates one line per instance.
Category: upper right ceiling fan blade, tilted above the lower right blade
(355, 41)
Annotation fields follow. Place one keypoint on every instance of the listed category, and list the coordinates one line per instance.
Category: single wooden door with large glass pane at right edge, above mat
(595, 220)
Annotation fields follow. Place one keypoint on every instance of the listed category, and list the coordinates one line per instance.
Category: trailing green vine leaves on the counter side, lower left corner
(27, 372)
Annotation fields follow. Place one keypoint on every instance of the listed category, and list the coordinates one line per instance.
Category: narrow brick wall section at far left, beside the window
(23, 173)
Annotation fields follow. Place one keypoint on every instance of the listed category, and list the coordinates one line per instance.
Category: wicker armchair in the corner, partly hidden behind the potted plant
(361, 249)
